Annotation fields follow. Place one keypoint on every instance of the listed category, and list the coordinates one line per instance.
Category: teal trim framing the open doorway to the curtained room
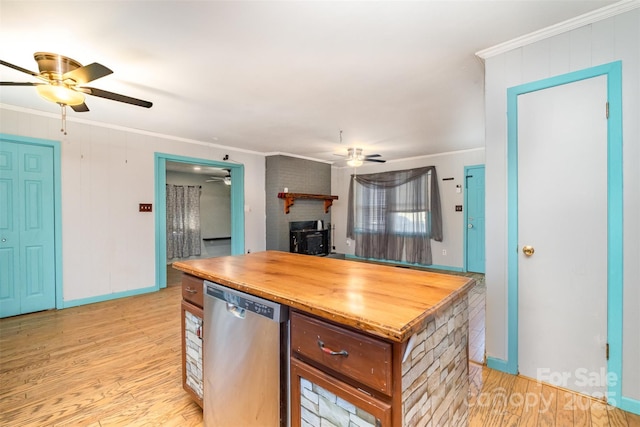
(237, 207)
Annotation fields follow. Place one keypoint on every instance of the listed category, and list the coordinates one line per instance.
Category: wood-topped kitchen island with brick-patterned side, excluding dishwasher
(390, 342)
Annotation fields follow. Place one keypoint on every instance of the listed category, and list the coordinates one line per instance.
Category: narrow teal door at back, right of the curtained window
(474, 218)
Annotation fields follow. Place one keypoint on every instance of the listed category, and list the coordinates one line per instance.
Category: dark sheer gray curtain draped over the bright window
(394, 215)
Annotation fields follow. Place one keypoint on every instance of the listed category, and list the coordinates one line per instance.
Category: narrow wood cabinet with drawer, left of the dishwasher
(192, 315)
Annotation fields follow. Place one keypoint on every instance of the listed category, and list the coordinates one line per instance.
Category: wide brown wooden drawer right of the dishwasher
(362, 358)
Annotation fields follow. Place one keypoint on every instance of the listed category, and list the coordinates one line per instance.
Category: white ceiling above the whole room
(400, 78)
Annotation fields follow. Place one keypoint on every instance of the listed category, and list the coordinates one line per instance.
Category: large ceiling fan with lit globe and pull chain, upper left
(61, 80)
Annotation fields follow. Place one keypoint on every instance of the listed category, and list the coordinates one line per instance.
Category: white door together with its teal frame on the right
(564, 291)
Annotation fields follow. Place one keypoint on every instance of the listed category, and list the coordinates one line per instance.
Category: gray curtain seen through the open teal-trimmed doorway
(183, 221)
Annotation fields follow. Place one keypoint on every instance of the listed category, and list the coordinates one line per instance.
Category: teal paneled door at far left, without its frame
(27, 234)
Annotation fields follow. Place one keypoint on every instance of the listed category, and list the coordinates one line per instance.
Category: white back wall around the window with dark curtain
(448, 165)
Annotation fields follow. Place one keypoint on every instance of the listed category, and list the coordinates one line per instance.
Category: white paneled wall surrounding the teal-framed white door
(616, 38)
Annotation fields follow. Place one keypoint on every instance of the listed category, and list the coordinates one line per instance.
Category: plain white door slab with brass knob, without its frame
(562, 215)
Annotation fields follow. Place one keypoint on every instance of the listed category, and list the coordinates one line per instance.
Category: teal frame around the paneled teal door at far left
(57, 202)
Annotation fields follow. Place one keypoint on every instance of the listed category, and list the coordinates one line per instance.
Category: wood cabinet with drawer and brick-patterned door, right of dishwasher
(338, 375)
